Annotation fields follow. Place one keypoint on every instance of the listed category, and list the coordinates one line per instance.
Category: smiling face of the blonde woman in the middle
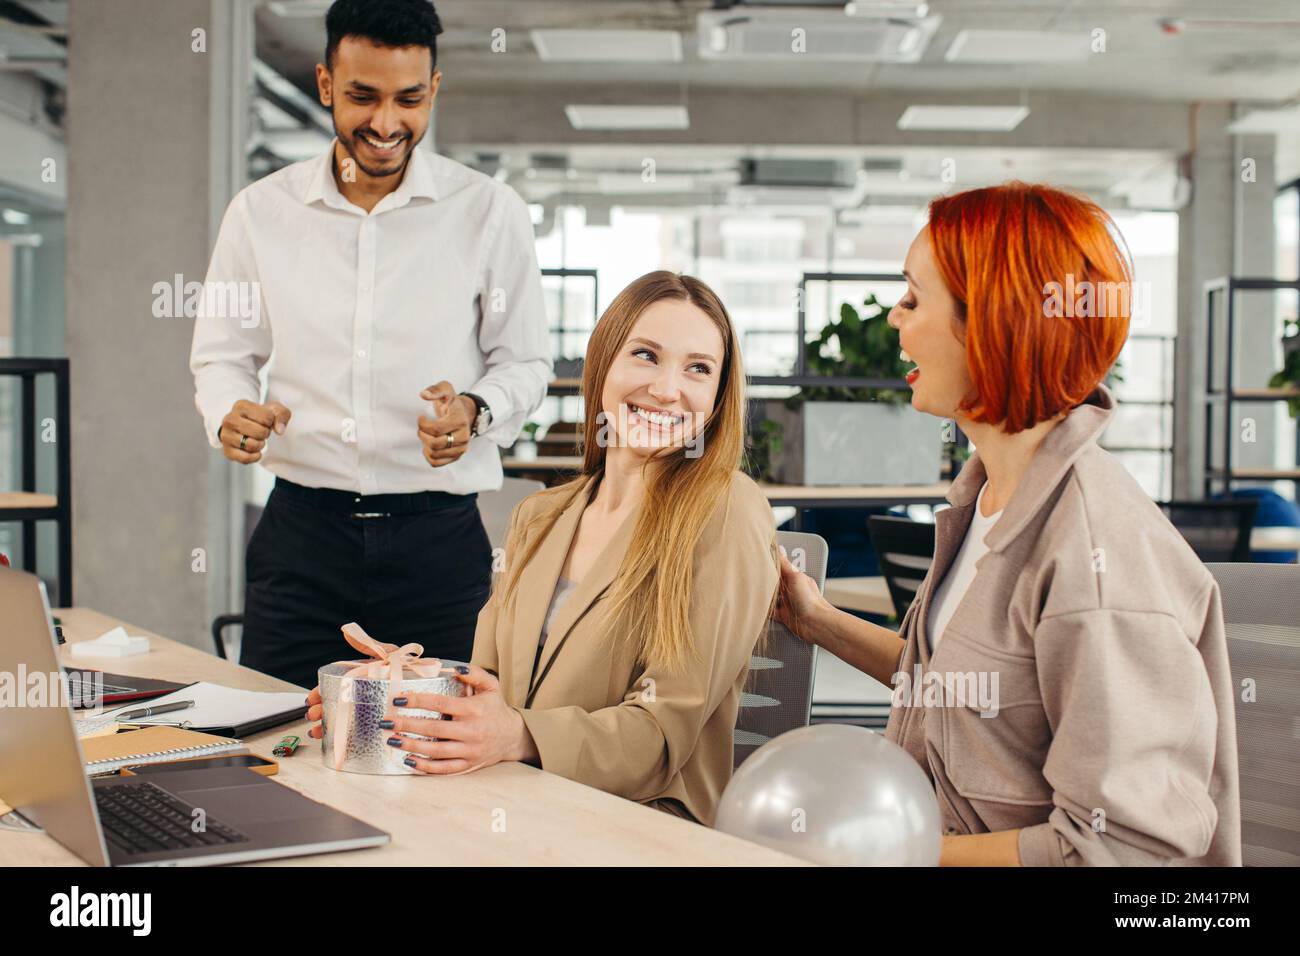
(664, 383)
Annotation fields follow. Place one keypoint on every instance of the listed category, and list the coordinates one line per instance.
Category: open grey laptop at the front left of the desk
(136, 821)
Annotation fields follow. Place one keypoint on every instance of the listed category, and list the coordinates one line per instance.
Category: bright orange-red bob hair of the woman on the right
(1043, 291)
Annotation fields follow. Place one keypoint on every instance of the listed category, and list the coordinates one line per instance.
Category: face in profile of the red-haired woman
(928, 322)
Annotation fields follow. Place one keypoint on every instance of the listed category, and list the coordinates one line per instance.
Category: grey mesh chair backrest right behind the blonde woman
(779, 690)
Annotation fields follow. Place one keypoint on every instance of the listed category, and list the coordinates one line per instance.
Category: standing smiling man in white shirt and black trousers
(397, 297)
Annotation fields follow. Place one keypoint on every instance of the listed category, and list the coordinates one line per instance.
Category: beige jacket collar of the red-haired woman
(1058, 453)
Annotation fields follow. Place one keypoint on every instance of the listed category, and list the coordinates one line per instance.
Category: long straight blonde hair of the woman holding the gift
(651, 604)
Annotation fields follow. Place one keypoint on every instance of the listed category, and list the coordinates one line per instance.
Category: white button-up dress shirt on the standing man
(361, 312)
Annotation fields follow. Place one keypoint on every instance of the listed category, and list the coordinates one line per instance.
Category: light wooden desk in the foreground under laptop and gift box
(506, 815)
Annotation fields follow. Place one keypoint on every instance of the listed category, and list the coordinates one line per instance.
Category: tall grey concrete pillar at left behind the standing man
(157, 111)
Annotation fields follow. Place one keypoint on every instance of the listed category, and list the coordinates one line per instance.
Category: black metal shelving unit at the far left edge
(27, 505)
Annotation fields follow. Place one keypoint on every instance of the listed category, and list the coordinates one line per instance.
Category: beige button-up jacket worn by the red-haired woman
(1082, 690)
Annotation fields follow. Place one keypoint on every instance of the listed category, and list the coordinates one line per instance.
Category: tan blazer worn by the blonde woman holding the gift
(599, 715)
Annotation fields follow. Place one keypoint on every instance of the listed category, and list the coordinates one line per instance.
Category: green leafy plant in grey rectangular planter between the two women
(856, 436)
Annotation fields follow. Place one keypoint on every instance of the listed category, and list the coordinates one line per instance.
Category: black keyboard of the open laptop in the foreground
(145, 819)
